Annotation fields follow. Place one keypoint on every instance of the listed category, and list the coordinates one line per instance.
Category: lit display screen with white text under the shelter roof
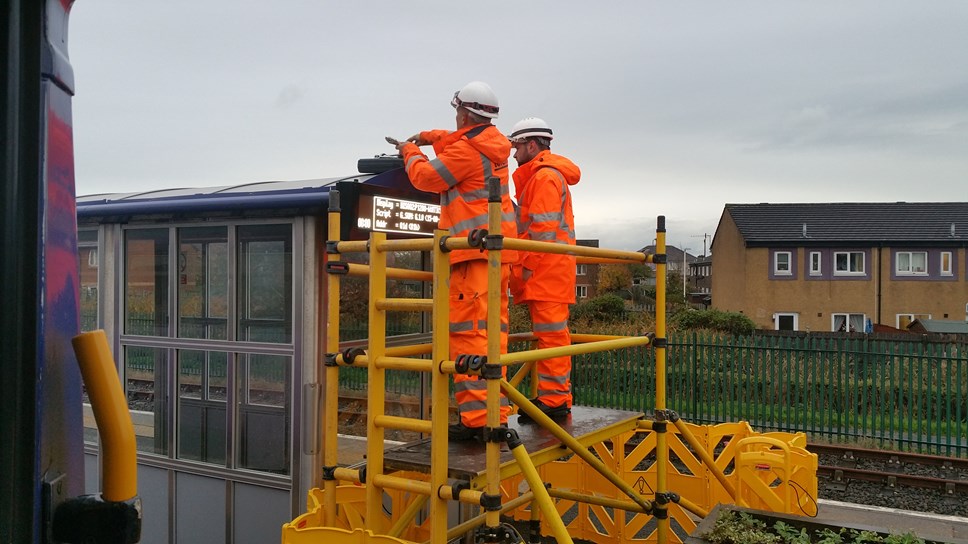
(390, 214)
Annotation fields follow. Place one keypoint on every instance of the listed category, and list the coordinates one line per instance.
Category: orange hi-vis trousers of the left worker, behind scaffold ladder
(468, 335)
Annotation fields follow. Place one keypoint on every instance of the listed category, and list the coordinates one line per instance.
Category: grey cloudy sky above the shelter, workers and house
(671, 108)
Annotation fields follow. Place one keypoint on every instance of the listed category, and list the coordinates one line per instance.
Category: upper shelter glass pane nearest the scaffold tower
(265, 283)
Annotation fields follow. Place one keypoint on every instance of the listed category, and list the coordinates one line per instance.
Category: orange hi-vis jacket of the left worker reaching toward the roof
(466, 158)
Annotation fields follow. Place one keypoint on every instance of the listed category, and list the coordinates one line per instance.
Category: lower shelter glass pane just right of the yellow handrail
(146, 379)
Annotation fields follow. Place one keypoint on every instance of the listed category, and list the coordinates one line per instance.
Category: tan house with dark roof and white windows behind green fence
(842, 266)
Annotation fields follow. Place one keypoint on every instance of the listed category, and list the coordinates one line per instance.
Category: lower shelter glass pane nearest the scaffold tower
(264, 413)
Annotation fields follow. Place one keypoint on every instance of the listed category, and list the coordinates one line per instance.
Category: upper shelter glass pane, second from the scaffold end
(203, 282)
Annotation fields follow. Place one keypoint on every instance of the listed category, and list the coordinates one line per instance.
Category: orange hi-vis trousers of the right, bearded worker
(550, 325)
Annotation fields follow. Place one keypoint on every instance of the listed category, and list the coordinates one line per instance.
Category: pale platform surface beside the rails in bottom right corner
(926, 525)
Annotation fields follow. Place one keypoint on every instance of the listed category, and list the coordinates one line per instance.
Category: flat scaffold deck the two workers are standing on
(466, 459)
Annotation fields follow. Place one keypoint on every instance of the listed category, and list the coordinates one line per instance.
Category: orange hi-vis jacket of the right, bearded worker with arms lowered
(544, 213)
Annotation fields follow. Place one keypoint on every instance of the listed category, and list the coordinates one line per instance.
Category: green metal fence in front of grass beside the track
(898, 395)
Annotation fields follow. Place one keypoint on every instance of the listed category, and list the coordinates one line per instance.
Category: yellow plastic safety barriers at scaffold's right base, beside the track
(772, 471)
